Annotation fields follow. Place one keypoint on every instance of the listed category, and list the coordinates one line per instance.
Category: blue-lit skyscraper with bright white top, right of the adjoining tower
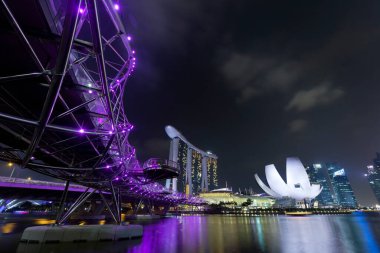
(343, 193)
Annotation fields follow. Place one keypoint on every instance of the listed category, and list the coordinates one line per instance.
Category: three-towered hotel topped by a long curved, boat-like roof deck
(198, 167)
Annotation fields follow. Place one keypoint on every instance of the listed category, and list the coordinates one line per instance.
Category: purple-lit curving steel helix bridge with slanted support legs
(62, 111)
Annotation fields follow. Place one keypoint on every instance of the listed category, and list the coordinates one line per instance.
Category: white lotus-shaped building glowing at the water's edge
(298, 185)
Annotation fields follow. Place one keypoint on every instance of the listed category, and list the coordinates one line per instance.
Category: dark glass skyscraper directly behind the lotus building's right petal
(317, 175)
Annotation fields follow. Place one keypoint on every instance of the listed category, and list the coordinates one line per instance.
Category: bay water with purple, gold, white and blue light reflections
(321, 234)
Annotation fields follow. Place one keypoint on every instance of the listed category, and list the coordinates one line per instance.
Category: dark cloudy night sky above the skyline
(257, 81)
